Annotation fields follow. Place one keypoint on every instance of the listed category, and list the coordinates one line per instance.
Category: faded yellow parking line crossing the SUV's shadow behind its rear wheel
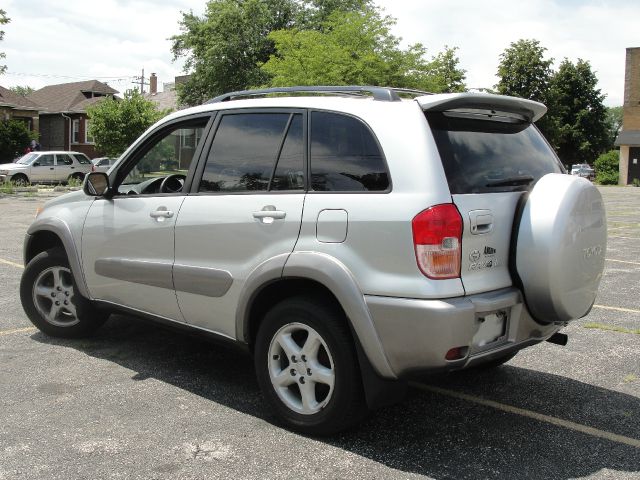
(594, 432)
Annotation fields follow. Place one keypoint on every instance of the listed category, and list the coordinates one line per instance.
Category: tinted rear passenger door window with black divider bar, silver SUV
(245, 150)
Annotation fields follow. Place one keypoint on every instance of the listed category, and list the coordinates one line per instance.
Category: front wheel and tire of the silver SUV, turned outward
(51, 300)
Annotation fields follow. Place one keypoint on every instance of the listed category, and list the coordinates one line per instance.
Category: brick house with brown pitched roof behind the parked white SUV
(63, 115)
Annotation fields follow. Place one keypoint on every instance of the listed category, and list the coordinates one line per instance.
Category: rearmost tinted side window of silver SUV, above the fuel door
(345, 155)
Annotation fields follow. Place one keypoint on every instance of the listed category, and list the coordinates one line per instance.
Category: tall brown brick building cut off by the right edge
(629, 138)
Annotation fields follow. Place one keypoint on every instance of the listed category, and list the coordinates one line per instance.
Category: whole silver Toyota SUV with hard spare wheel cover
(348, 237)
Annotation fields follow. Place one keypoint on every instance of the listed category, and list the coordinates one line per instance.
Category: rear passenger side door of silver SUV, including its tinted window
(246, 209)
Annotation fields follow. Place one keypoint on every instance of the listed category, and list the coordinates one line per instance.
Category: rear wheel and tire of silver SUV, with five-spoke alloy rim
(298, 338)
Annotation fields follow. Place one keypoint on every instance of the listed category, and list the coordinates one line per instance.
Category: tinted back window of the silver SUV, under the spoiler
(481, 155)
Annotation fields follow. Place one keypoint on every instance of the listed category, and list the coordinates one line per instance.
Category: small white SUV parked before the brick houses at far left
(46, 167)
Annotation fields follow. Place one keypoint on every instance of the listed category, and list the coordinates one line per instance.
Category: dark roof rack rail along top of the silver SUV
(385, 94)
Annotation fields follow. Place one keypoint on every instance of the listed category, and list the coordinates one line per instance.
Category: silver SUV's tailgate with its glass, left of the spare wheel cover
(490, 158)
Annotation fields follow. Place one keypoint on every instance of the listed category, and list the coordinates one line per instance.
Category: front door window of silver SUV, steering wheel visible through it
(164, 156)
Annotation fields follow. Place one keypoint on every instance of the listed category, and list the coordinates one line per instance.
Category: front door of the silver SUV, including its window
(128, 240)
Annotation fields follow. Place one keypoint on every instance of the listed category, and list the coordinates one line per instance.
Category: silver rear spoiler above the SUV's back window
(528, 109)
